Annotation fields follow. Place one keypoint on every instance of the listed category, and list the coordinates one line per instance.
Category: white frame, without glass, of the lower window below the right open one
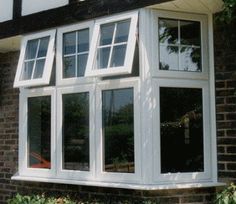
(110, 176)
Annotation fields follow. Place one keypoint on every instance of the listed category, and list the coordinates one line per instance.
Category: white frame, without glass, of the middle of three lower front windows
(76, 174)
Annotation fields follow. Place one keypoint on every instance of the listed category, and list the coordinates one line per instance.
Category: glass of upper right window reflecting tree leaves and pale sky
(180, 45)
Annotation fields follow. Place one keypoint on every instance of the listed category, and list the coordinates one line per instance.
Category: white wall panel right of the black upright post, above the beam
(34, 6)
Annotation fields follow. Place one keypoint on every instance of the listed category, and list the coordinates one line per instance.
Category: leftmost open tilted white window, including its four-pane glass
(36, 59)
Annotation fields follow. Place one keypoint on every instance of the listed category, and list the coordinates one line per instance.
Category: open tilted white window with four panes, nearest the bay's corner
(113, 45)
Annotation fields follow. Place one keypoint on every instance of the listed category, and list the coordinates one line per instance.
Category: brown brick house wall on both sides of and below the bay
(226, 130)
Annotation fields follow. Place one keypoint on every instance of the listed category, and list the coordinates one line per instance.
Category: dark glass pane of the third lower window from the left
(118, 130)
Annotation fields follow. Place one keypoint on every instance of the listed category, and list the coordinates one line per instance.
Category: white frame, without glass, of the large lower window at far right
(181, 177)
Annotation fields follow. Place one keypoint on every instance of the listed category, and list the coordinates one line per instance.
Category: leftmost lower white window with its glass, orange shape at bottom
(37, 132)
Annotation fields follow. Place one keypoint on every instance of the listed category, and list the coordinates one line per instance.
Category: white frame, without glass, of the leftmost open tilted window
(48, 60)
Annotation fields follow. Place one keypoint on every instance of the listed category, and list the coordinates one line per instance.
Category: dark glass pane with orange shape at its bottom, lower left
(39, 132)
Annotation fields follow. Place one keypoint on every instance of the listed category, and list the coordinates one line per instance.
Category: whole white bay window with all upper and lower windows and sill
(99, 125)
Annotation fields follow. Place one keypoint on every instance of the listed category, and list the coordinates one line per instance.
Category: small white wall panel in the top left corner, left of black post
(6, 10)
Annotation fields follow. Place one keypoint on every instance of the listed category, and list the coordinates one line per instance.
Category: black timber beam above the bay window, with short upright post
(75, 11)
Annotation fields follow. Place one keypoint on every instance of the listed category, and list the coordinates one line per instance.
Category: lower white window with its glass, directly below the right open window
(118, 131)
